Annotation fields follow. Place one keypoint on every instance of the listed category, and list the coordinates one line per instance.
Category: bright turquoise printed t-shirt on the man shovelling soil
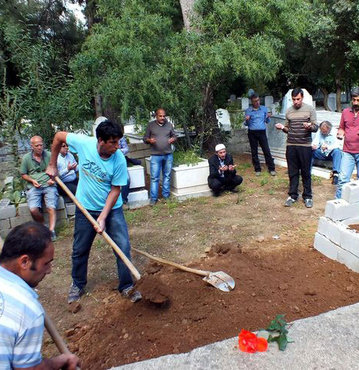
(96, 174)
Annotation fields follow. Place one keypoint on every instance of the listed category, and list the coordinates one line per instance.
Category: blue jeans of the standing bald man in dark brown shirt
(158, 163)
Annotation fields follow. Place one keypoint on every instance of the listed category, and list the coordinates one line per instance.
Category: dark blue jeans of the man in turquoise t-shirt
(84, 234)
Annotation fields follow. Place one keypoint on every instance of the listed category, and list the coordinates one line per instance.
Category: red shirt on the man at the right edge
(350, 124)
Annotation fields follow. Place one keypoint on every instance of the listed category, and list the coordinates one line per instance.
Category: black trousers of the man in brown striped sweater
(299, 159)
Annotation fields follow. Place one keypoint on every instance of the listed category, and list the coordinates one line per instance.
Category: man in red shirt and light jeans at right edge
(349, 130)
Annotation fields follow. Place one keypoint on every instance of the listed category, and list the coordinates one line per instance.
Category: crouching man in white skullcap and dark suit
(222, 172)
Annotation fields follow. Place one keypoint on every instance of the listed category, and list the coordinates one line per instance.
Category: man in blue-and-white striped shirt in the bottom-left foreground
(24, 261)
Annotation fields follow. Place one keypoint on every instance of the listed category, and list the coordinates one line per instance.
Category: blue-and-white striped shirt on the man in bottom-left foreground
(21, 323)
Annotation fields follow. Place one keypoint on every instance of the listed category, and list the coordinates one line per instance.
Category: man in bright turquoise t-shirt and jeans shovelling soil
(102, 172)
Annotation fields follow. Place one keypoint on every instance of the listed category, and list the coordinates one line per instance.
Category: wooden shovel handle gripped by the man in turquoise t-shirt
(115, 247)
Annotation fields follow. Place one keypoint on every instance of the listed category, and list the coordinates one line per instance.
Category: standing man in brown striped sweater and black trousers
(300, 122)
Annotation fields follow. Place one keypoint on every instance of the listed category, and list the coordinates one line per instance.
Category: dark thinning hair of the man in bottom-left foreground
(30, 238)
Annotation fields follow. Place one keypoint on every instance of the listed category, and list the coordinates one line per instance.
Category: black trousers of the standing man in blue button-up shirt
(256, 137)
